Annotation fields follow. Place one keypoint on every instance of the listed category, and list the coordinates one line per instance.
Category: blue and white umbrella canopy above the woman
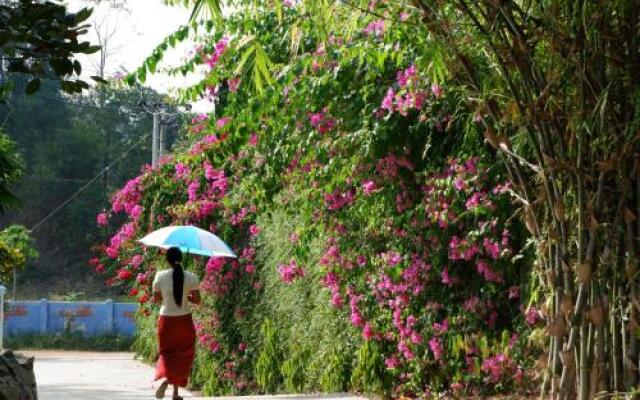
(190, 240)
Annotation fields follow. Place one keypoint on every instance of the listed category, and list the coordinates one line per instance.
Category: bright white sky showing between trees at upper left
(136, 31)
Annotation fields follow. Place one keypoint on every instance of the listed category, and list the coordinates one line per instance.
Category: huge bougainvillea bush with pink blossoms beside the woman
(374, 233)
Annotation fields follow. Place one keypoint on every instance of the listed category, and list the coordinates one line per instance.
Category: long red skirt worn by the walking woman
(177, 337)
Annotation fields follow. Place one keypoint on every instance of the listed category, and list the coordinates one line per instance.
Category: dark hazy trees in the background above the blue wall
(65, 142)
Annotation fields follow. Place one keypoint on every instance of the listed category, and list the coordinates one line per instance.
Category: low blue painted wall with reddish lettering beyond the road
(87, 318)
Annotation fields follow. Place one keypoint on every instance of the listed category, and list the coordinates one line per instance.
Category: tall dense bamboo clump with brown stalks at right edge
(564, 117)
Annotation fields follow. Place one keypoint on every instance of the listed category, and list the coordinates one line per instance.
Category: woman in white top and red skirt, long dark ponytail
(175, 289)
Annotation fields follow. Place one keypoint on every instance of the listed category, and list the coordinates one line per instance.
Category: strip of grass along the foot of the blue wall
(68, 341)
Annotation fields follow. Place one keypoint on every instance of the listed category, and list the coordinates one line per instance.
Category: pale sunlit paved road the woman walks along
(71, 375)
